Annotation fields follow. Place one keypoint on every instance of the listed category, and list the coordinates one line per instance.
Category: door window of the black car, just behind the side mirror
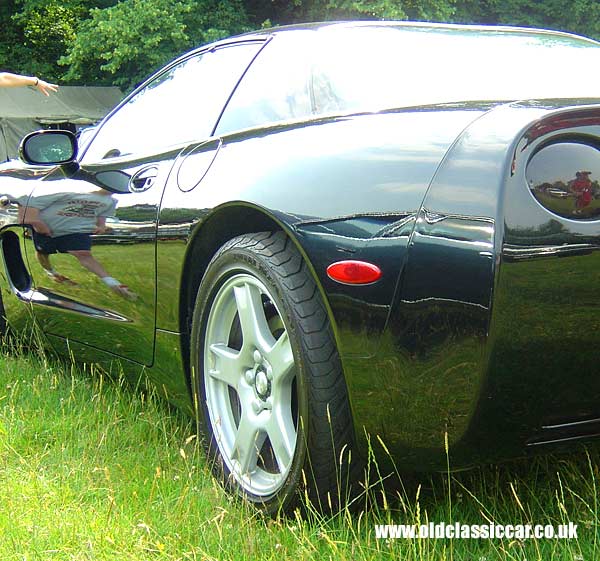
(180, 105)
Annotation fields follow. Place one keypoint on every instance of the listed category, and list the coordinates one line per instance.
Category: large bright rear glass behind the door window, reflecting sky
(369, 68)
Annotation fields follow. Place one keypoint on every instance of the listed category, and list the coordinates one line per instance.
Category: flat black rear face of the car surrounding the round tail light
(543, 382)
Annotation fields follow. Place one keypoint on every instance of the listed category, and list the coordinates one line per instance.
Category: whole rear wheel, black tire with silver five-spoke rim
(256, 285)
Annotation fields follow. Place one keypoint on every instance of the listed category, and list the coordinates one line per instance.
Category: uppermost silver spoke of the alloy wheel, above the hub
(255, 329)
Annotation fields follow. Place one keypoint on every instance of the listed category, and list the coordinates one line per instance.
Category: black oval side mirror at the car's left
(53, 147)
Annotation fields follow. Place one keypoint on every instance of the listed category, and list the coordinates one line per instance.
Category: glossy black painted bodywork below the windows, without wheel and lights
(482, 331)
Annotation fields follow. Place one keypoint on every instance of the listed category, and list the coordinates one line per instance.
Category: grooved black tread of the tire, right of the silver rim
(330, 426)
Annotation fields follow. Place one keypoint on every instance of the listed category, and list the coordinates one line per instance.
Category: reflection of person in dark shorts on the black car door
(64, 223)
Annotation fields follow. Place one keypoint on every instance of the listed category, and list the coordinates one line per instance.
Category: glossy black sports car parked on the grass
(324, 238)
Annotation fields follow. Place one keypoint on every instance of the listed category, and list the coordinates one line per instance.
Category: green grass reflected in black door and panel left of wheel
(134, 266)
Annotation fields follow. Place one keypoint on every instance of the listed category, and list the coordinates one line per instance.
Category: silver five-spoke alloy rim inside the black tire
(249, 382)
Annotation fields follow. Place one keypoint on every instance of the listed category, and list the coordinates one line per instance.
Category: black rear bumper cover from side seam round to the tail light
(475, 356)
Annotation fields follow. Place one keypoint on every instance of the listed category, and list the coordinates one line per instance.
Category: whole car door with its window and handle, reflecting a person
(91, 252)
